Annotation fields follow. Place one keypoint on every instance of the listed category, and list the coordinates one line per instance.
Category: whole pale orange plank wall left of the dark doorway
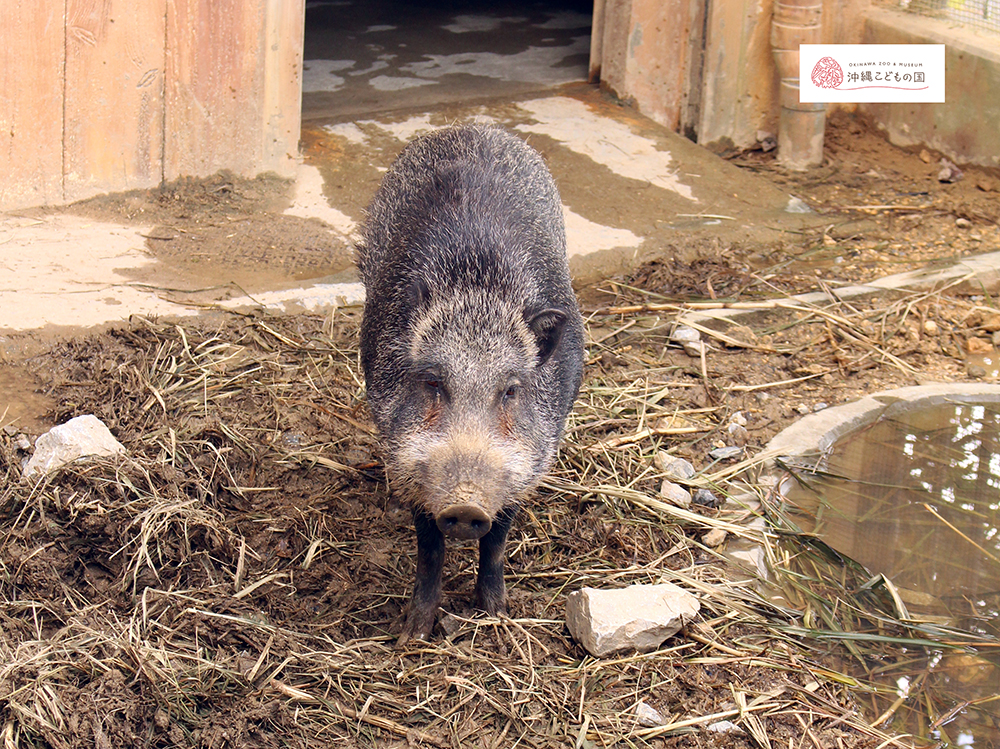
(109, 95)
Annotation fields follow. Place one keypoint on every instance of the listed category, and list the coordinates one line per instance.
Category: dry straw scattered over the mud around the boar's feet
(239, 579)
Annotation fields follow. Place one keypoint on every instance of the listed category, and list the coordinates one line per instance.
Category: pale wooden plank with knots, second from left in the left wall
(114, 96)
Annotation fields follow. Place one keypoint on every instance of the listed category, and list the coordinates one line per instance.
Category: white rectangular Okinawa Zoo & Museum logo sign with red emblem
(905, 73)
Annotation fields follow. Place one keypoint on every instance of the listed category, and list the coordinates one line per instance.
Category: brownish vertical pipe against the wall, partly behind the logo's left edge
(800, 127)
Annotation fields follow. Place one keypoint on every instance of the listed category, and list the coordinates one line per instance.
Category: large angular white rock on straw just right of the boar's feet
(639, 617)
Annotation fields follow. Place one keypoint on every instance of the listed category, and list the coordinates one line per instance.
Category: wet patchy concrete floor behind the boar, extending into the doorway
(376, 75)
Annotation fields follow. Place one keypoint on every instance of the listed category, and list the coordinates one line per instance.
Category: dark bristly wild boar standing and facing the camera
(472, 341)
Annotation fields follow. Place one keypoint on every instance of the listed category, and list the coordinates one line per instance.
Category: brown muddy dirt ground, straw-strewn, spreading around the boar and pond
(239, 580)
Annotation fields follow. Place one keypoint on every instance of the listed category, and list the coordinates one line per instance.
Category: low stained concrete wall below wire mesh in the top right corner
(966, 128)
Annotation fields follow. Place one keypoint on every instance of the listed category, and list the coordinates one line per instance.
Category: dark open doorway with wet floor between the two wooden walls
(368, 56)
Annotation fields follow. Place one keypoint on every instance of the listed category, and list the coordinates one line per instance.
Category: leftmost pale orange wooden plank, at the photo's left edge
(32, 36)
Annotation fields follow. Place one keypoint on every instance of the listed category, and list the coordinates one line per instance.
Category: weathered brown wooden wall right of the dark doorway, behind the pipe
(702, 67)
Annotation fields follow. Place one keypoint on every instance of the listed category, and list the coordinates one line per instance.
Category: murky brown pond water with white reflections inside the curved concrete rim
(917, 498)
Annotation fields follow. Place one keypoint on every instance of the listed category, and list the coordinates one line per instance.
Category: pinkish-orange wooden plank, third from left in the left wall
(215, 87)
